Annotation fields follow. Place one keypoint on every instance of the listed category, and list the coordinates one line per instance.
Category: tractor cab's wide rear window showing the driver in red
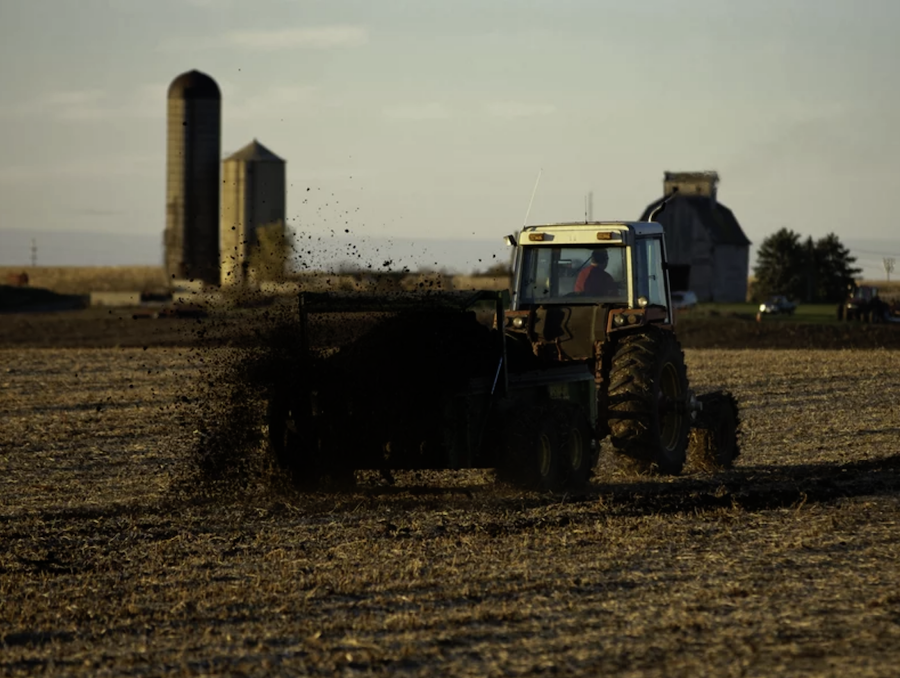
(596, 275)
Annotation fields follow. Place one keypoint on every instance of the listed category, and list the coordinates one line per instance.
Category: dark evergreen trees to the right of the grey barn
(804, 270)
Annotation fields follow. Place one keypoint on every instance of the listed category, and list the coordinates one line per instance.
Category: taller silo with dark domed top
(193, 141)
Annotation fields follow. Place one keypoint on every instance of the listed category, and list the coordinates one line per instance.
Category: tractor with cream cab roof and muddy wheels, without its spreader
(598, 294)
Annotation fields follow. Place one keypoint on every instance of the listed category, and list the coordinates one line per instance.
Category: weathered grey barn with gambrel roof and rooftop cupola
(709, 253)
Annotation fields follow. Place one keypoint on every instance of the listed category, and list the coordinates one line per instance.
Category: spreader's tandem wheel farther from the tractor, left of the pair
(532, 458)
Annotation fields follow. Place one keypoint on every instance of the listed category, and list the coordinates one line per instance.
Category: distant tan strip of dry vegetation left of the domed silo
(86, 279)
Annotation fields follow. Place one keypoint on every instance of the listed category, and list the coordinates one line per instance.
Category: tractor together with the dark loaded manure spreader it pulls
(527, 381)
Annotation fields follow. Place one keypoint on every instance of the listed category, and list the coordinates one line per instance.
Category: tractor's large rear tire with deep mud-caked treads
(648, 392)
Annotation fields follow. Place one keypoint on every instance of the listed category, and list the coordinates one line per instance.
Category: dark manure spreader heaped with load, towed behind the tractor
(427, 383)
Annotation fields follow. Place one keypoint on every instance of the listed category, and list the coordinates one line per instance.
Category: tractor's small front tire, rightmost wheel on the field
(714, 441)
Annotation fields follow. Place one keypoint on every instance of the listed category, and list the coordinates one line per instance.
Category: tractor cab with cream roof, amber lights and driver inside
(574, 284)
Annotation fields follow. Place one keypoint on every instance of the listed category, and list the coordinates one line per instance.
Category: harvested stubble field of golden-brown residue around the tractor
(787, 565)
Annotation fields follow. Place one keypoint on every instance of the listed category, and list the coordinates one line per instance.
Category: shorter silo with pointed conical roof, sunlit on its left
(253, 195)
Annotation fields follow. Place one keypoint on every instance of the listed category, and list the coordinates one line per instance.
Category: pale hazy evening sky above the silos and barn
(421, 118)
